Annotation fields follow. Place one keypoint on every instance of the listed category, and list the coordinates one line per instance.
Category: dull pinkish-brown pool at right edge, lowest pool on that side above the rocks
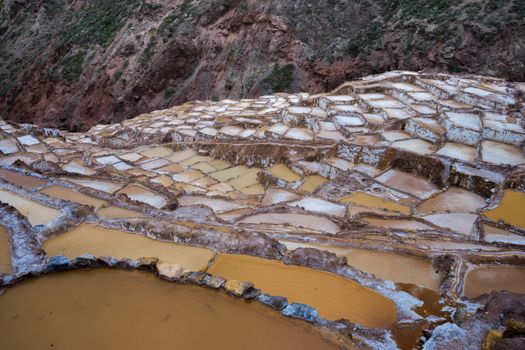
(486, 279)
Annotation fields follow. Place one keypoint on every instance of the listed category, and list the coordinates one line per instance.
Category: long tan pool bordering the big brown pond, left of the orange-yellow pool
(99, 241)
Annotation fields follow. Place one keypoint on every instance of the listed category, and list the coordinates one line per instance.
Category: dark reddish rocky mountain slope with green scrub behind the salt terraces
(75, 63)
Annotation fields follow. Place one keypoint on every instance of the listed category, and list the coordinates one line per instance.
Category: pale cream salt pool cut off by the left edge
(36, 213)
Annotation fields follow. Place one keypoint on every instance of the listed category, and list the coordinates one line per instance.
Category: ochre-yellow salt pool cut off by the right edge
(510, 209)
